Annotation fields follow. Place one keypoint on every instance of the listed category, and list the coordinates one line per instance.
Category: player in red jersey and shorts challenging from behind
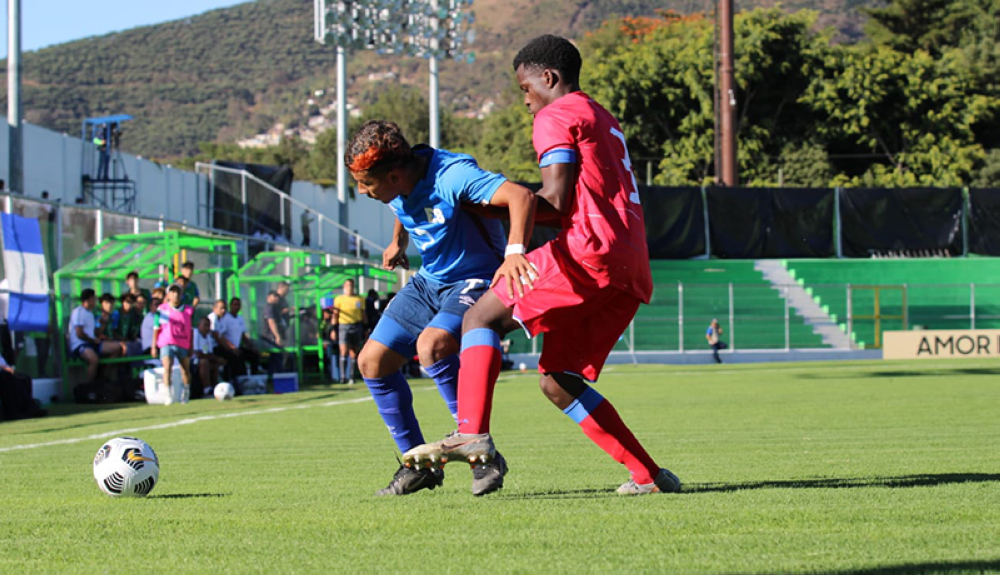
(586, 286)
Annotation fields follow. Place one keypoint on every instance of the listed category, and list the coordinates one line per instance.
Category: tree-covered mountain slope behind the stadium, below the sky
(236, 71)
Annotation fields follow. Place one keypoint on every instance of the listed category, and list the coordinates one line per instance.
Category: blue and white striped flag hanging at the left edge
(24, 264)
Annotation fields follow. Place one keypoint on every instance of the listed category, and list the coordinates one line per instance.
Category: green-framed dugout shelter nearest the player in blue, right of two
(310, 282)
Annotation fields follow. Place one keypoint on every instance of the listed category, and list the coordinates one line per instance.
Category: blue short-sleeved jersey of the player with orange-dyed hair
(454, 244)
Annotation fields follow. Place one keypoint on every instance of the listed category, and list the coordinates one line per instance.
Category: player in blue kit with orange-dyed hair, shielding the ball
(463, 255)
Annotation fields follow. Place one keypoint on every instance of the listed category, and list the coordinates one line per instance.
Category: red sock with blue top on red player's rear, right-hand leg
(602, 424)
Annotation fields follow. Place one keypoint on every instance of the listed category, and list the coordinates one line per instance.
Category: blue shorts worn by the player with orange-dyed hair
(424, 303)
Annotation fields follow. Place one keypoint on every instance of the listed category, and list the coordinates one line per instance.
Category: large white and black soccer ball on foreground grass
(126, 467)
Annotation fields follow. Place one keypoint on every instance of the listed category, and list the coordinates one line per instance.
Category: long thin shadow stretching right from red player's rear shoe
(925, 480)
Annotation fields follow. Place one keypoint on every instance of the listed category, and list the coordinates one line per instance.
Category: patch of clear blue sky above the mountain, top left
(48, 22)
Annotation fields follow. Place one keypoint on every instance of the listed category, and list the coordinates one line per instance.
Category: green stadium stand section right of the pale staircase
(938, 292)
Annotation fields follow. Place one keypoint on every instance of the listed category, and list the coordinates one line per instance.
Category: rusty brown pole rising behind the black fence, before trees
(726, 97)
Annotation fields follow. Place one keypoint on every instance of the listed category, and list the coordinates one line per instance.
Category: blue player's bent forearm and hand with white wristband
(516, 271)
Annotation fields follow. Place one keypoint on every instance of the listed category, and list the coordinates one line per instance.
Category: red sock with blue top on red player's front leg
(477, 376)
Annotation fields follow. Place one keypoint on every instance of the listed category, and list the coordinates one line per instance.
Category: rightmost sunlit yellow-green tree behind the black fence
(913, 113)
